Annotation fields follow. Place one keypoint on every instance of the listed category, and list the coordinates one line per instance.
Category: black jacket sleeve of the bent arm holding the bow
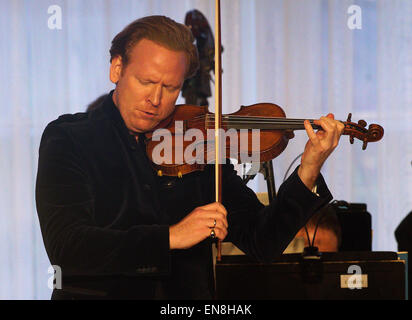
(65, 206)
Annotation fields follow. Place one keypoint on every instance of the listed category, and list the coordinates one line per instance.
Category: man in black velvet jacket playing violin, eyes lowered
(119, 231)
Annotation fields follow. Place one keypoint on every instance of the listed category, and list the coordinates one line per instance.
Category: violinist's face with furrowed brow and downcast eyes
(149, 85)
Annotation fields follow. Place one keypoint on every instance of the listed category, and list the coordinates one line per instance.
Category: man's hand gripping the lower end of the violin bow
(197, 226)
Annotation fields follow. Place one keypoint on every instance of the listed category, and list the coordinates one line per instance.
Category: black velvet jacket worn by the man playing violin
(105, 214)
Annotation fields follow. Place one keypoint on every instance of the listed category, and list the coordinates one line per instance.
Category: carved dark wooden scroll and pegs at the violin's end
(359, 131)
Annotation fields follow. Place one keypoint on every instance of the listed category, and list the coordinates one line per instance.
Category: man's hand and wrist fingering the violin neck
(318, 148)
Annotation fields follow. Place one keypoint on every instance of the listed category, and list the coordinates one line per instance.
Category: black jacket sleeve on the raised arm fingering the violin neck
(264, 232)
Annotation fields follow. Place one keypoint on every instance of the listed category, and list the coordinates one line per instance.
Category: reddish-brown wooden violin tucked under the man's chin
(274, 133)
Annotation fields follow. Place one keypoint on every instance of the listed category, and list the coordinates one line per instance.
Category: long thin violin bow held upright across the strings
(218, 116)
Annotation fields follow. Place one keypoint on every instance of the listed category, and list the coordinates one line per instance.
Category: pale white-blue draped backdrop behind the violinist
(299, 54)
